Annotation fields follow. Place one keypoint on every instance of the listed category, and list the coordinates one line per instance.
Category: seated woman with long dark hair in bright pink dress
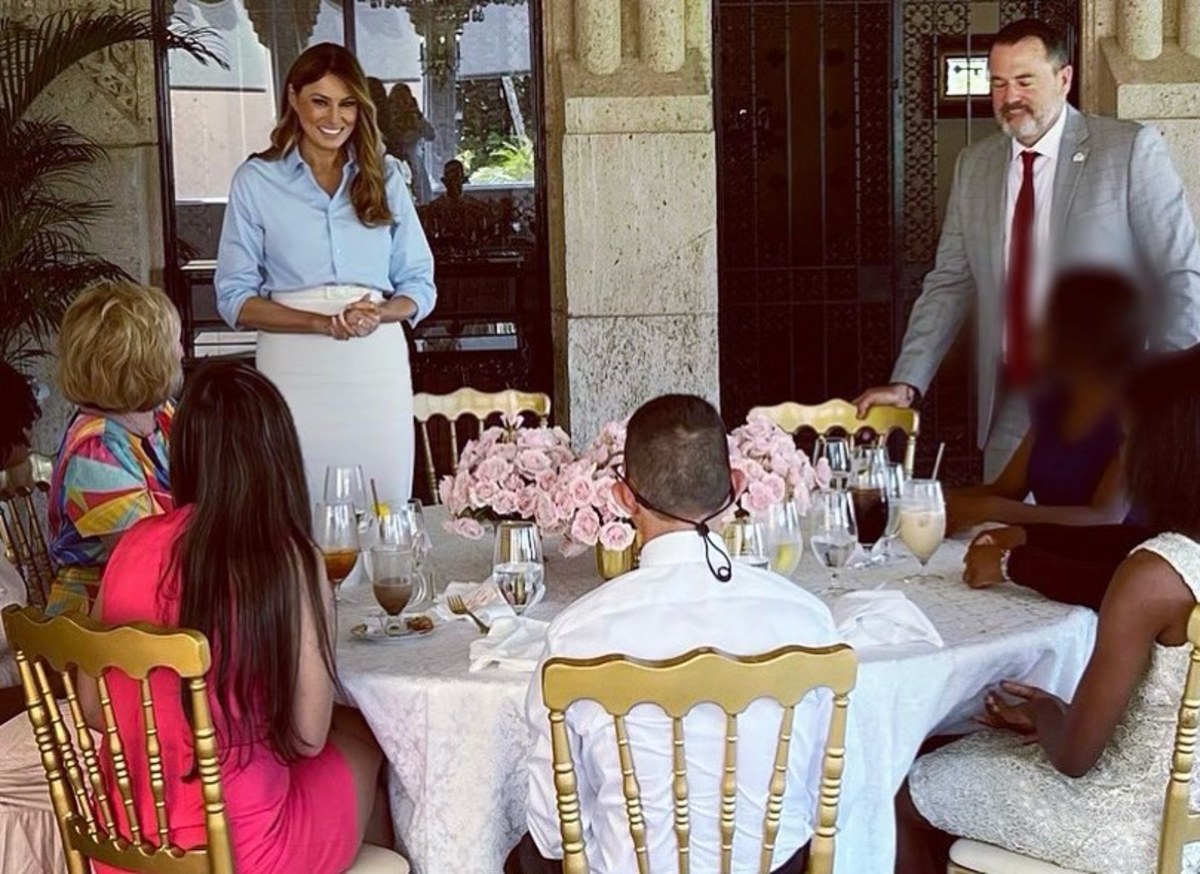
(237, 561)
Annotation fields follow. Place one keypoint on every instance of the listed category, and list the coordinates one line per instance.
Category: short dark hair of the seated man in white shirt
(677, 457)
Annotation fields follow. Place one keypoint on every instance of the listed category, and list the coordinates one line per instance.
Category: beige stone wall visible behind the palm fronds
(110, 98)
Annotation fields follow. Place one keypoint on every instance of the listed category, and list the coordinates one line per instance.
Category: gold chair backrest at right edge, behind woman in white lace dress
(1181, 824)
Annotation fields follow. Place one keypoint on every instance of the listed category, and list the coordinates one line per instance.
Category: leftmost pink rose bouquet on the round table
(509, 472)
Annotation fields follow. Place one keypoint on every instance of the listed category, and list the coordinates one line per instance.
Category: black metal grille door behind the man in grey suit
(829, 129)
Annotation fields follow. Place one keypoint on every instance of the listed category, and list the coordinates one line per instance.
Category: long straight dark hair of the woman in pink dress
(248, 561)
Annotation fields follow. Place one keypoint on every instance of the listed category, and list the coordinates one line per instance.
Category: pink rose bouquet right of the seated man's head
(776, 469)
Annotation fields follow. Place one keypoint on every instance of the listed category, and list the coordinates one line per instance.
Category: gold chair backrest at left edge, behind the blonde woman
(21, 530)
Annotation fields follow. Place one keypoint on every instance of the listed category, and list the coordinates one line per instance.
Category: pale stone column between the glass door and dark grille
(633, 214)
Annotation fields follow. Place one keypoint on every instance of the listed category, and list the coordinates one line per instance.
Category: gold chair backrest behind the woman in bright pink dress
(79, 789)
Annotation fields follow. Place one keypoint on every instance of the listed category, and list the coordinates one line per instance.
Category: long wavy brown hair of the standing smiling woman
(369, 194)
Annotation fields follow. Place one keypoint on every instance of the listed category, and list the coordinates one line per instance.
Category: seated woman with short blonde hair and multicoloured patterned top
(119, 362)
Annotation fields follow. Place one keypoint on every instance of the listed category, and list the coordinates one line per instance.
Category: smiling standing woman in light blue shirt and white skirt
(323, 254)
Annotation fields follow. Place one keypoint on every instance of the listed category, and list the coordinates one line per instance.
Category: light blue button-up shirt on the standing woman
(284, 234)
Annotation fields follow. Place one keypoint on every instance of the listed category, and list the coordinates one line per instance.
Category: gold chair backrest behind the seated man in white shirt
(703, 677)
